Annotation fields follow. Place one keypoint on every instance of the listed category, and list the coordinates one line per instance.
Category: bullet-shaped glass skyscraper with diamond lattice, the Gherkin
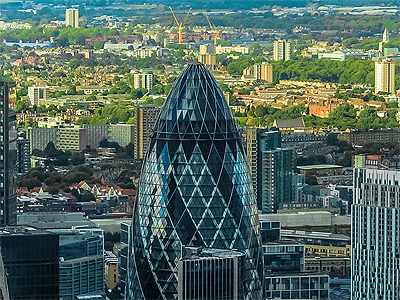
(195, 190)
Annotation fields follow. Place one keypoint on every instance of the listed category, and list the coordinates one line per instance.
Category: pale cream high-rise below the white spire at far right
(385, 77)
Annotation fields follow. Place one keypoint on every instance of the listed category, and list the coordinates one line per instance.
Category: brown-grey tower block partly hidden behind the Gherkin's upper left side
(145, 119)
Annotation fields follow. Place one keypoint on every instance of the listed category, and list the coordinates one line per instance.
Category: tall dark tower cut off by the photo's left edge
(8, 154)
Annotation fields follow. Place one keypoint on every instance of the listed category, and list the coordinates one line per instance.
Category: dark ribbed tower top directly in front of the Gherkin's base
(210, 274)
